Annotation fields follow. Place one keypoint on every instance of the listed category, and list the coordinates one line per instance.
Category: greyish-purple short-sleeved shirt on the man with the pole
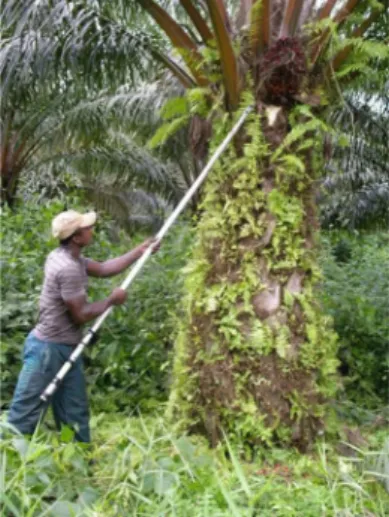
(65, 278)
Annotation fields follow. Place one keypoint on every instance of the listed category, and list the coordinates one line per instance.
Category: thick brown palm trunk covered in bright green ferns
(254, 356)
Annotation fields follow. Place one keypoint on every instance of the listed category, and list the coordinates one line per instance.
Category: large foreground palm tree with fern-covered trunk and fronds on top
(255, 357)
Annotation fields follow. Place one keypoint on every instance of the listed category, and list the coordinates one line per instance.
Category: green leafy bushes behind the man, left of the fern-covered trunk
(129, 364)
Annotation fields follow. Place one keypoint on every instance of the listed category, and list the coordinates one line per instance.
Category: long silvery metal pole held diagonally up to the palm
(51, 388)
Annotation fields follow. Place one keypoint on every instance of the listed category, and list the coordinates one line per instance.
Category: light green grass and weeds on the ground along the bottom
(140, 468)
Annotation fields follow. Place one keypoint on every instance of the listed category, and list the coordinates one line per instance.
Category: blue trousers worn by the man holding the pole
(41, 362)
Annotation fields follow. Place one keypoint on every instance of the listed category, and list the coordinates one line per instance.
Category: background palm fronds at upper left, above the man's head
(52, 121)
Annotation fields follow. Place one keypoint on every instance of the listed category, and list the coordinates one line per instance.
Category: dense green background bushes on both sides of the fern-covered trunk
(129, 366)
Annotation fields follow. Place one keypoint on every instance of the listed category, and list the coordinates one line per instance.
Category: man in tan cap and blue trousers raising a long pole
(63, 309)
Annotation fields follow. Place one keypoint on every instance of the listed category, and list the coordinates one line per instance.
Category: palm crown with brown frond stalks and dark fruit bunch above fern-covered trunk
(285, 44)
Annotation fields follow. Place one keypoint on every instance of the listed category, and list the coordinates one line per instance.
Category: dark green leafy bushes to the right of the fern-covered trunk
(355, 293)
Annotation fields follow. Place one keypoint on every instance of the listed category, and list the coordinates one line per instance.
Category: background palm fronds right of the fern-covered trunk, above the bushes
(355, 191)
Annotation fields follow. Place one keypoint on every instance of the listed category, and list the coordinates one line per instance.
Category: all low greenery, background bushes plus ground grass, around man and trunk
(141, 466)
